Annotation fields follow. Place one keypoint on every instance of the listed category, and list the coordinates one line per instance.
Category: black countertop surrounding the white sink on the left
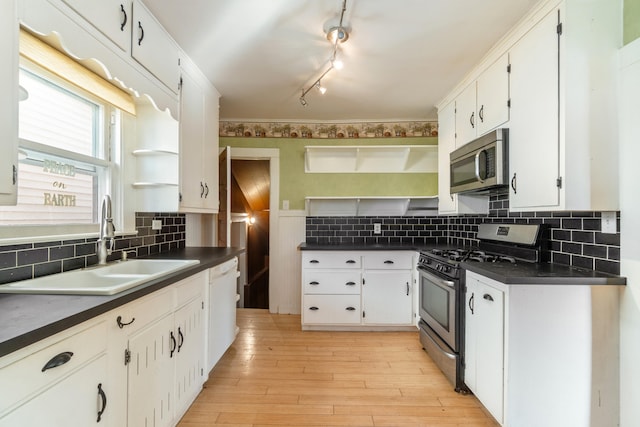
(26, 319)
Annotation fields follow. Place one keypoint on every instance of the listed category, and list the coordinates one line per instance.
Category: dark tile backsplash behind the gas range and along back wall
(576, 236)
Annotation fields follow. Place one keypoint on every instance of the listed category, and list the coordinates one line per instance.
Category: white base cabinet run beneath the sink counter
(141, 364)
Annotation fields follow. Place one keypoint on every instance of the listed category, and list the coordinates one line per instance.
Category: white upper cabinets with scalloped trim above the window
(103, 37)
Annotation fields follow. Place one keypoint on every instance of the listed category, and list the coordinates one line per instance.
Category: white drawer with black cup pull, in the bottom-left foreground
(26, 376)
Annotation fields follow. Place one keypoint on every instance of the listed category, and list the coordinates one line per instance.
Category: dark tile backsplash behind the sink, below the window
(26, 261)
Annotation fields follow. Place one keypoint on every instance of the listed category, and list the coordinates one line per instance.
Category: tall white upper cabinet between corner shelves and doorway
(198, 142)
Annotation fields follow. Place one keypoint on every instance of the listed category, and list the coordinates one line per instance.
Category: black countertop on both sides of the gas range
(522, 273)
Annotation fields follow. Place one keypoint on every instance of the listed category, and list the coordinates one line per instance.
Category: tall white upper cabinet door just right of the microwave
(533, 129)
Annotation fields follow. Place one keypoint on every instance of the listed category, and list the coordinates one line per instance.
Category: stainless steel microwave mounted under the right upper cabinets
(481, 164)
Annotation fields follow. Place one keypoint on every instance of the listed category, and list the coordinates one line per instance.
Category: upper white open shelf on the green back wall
(371, 159)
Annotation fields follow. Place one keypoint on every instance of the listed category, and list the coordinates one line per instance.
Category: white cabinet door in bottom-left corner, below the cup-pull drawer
(79, 400)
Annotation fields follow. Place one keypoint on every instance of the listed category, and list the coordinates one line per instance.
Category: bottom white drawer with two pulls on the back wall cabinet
(331, 309)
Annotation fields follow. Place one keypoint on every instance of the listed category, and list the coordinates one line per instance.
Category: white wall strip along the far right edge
(630, 234)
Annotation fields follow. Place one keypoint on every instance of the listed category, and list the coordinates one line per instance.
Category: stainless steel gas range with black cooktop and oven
(442, 288)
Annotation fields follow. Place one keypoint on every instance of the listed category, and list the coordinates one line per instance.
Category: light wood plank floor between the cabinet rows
(276, 374)
